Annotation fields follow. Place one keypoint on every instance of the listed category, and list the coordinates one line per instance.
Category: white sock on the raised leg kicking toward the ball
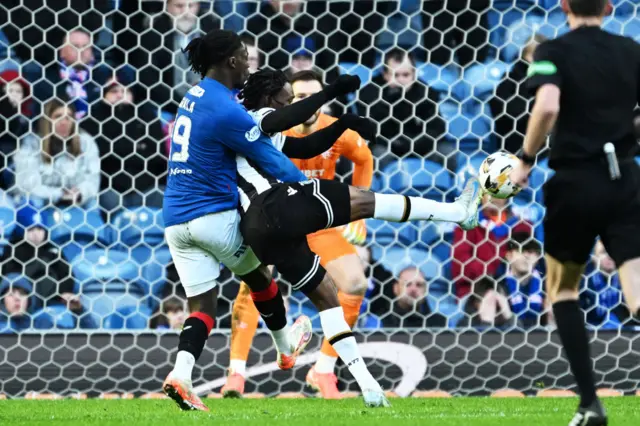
(391, 207)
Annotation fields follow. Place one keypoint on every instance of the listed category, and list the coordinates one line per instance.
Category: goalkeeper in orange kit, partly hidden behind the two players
(334, 246)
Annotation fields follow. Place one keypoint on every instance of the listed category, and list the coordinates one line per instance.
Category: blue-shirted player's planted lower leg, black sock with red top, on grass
(195, 331)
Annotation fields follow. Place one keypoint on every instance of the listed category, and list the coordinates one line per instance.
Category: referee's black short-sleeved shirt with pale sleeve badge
(598, 74)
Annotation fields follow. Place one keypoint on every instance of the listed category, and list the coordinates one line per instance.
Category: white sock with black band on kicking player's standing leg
(333, 324)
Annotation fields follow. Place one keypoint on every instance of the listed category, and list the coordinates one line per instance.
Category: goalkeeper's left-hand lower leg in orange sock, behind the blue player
(244, 323)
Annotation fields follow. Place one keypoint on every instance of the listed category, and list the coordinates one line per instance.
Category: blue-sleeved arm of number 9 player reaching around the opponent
(241, 134)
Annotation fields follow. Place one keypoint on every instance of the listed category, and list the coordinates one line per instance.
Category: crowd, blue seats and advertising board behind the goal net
(89, 300)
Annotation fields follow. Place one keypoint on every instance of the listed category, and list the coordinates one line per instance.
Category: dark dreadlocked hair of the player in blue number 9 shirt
(211, 49)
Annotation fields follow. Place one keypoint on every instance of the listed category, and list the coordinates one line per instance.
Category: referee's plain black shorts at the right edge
(584, 203)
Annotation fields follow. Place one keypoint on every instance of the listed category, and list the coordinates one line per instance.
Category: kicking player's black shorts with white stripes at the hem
(278, 221)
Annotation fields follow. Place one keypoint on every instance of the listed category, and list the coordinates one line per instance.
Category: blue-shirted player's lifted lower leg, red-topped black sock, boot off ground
(289, 341)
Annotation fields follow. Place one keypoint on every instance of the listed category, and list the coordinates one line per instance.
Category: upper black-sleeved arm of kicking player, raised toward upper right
(294, 114)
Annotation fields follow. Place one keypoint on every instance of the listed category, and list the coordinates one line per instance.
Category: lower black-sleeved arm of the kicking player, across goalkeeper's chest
(318, 142)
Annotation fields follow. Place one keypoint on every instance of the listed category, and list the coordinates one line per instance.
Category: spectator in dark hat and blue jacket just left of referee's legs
(523, 283)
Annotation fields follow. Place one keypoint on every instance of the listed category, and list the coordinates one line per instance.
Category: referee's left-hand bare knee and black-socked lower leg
(563, 281)
